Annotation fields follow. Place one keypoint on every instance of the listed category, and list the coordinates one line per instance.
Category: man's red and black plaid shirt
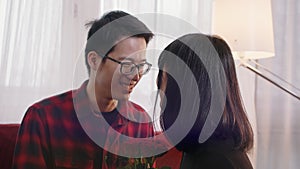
(53, 133)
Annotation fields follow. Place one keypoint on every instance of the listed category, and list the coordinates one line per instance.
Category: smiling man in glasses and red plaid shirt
(76, 129)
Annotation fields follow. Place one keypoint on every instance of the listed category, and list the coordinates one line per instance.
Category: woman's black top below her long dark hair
(216, 154)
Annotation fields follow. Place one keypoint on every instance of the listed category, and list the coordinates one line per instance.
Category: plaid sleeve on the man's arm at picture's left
(31, 146)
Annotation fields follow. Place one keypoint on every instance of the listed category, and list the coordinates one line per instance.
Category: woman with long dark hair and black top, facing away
(202, 109)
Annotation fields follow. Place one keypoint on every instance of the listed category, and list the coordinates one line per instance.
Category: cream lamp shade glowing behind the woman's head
(246, 25)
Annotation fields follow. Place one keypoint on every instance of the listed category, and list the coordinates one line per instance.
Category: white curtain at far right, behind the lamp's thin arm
(278, 113)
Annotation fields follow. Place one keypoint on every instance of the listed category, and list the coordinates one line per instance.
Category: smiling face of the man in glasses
(110, 82)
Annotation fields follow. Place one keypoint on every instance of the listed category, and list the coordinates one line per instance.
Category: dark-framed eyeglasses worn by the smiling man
(128, 68)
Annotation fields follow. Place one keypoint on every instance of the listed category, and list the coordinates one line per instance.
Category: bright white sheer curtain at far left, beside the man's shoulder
(30, 44)
